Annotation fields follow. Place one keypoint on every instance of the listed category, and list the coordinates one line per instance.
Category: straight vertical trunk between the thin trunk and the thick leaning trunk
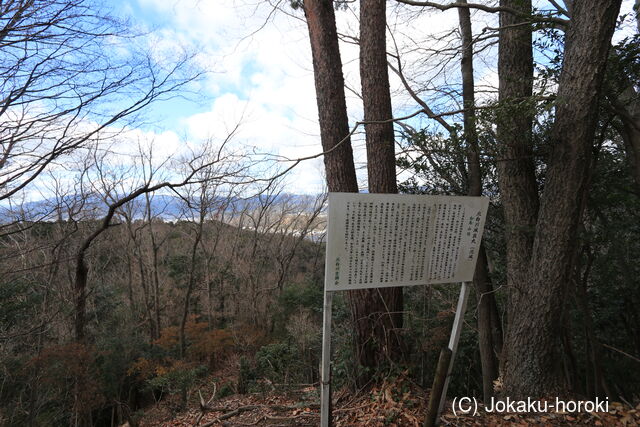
(515, 165)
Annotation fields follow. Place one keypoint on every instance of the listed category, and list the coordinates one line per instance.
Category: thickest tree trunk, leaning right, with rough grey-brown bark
(533, 339)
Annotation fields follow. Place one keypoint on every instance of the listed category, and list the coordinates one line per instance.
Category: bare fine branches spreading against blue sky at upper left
(68, 72)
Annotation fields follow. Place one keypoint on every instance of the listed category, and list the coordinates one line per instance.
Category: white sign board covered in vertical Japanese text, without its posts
(382, 240)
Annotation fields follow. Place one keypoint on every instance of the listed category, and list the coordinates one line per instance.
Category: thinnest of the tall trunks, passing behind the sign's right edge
(487, 309)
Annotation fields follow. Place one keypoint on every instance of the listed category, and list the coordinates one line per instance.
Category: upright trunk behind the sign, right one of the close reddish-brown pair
(377, 313)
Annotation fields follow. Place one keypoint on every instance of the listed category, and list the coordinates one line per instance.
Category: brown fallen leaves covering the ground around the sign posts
(398, 403)
